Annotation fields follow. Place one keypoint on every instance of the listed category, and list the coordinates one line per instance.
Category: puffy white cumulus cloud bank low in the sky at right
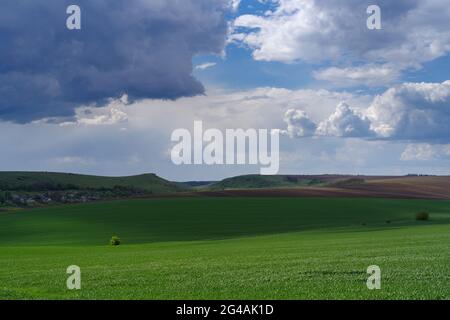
(417, 112)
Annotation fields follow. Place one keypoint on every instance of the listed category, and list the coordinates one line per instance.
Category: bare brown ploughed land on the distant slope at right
(377, 187)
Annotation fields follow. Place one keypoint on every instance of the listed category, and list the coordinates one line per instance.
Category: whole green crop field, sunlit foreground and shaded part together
(228, 248)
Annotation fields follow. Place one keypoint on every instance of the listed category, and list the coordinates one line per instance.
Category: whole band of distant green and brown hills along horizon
(415, 187)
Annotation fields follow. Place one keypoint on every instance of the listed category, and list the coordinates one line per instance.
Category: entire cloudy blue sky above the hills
(105, 99)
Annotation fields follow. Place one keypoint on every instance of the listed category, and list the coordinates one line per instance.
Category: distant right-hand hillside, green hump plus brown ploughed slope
(417, 187)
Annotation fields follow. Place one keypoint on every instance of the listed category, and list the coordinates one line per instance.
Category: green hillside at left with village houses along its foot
(31, 189)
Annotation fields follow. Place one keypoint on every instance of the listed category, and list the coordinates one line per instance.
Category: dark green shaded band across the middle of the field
(187, 219)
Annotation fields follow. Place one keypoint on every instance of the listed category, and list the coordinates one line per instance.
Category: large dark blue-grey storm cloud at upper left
(141, 47)
